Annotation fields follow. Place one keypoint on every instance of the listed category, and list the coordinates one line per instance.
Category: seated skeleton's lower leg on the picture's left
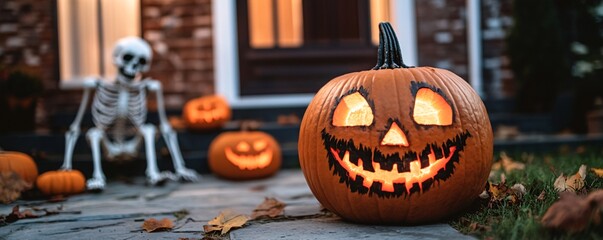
(97, 182)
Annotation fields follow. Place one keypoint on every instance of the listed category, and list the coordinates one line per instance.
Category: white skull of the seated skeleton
(132, 55)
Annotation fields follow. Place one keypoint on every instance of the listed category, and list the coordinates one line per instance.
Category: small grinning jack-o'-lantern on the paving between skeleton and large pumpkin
(244, 155)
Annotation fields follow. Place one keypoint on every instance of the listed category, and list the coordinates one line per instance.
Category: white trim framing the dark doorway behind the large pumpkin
(226, 74)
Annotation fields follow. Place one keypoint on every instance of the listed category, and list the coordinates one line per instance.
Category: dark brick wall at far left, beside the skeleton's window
(27, 42)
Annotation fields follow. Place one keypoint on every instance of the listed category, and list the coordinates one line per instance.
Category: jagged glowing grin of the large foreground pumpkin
(368, 170)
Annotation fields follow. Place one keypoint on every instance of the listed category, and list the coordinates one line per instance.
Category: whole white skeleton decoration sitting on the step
(119, 113)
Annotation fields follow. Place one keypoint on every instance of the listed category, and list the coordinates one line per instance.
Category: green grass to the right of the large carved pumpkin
(522, 220)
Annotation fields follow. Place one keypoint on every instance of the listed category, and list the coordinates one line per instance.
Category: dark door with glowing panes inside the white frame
(296, 46)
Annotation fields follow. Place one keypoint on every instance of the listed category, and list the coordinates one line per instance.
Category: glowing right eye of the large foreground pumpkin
(431, 108)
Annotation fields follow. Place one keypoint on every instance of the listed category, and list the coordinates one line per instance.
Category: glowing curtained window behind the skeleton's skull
(88, 29)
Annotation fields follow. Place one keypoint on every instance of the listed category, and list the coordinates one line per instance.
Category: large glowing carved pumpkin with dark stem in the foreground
(396, 144)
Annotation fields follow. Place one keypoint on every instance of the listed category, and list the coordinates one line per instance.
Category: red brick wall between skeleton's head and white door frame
(180, 32)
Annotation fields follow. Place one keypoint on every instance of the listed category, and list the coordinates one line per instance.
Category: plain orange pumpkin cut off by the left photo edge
(20, 163)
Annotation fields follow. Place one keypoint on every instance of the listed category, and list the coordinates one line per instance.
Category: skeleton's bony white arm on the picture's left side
(74, 129)
